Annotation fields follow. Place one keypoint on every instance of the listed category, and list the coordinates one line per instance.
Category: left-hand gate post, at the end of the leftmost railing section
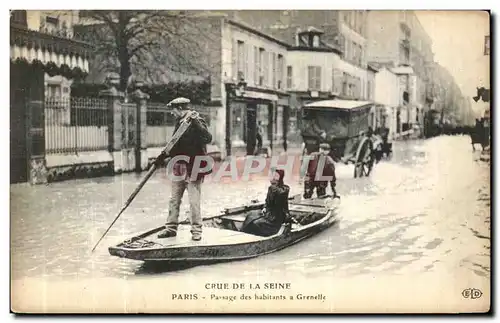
(114, 123)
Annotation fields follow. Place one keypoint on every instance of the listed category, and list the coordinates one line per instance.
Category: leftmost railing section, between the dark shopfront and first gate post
(75, 125)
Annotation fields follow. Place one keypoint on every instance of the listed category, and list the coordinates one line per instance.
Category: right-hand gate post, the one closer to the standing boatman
(141, 153)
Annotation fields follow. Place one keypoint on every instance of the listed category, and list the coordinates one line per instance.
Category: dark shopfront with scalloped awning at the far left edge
(43, 60)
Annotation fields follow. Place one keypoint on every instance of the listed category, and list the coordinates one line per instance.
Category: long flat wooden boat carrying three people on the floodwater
(222, 240)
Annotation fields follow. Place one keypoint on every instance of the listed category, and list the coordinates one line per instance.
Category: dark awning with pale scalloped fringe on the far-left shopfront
(32, 45)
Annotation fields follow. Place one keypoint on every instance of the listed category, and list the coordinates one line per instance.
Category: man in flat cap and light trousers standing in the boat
(192, 144)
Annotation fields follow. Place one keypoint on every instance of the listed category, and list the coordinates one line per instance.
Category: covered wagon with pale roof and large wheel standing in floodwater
(345, 126)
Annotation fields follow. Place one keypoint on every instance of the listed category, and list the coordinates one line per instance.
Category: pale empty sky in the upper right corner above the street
(458, 45)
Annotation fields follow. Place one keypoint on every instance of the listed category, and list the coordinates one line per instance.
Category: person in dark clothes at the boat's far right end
(328, 170)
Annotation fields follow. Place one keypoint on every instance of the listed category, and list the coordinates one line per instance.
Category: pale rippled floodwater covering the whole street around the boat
(426, 209)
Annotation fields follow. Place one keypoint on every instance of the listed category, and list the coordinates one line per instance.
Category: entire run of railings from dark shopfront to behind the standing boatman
(81, 124)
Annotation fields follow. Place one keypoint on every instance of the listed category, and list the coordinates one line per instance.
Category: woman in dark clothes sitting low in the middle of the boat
(268, 221)
